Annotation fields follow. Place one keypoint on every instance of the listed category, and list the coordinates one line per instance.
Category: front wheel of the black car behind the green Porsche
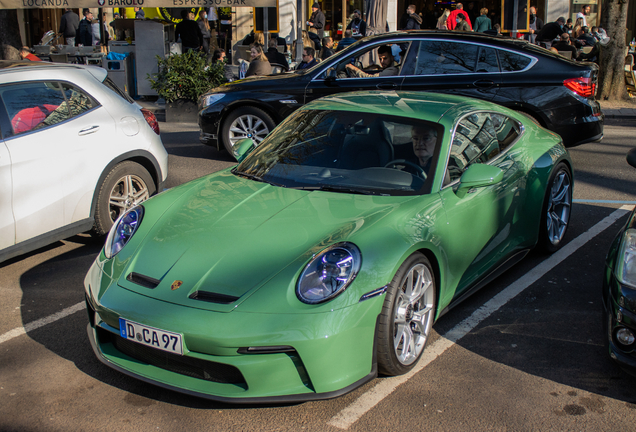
(245, 122)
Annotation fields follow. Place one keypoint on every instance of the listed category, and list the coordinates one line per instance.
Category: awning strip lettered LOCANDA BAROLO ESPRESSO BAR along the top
(37, 4)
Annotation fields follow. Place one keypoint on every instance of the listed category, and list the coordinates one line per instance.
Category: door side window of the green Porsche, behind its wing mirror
(475, 141)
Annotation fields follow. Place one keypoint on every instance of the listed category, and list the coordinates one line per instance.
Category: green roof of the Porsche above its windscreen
(412, 104)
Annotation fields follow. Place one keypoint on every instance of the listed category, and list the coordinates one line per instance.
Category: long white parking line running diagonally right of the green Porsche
(345, 418)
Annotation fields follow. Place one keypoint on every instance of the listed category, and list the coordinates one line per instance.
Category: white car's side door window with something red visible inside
(32, 106)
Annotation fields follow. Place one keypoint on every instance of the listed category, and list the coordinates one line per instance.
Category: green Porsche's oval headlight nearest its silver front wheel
(329, 273)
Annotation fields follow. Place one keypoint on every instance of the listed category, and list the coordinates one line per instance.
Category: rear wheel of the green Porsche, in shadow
(555, 216)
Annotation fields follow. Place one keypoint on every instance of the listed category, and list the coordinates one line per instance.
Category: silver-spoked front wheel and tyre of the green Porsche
(407, 316)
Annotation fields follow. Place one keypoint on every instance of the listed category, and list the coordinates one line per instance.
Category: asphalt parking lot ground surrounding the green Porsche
(526, 353)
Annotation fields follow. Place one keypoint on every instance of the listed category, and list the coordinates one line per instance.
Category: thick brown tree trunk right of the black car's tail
(611, 83)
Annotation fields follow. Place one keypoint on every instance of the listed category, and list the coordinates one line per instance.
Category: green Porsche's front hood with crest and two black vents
(227, 236)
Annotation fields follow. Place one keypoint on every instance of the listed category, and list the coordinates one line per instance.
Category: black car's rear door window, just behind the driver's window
(443, 57)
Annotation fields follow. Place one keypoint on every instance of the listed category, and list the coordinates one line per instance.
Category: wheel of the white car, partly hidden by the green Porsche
(125, 186)
